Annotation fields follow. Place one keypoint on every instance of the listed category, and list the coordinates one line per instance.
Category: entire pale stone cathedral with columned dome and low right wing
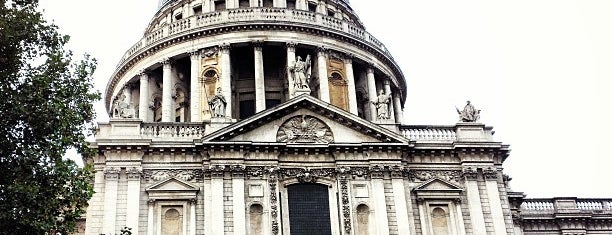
(284, 117)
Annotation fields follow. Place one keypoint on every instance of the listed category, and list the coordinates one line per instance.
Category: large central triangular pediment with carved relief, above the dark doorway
(305, 120)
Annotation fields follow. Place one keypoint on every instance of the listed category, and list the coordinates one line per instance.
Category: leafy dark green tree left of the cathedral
(46, 108)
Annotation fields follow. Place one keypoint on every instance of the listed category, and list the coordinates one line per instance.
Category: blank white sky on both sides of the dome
(541, 71)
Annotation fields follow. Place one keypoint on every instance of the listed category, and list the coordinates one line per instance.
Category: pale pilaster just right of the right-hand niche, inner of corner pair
(478, 224)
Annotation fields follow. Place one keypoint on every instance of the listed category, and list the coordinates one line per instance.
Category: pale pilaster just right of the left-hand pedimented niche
(218, 223)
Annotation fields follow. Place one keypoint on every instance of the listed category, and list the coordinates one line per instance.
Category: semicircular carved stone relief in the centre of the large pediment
(304, 129)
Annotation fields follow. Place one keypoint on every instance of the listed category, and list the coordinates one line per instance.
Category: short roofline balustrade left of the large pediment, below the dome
(172, 130)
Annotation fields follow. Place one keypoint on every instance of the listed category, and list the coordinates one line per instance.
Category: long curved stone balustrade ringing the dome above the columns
(277, 15)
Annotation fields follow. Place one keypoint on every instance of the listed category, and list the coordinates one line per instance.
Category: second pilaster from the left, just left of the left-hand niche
(133, 199)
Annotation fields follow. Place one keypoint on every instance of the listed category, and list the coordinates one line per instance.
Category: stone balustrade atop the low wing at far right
(560, 205)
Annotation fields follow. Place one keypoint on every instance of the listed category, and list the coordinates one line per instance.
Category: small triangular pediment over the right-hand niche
(437, 188)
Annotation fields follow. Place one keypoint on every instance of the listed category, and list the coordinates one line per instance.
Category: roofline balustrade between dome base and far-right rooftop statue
(429, 133)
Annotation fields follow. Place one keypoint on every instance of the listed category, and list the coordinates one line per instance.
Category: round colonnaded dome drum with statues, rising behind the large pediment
(198, 62)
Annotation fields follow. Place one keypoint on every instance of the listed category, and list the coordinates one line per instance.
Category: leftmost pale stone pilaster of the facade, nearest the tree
(111, 176)
